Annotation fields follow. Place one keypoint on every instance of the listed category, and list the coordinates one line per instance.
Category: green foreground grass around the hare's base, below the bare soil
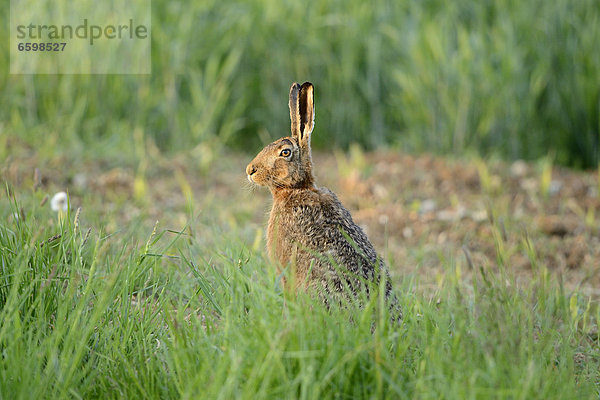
(182, 313)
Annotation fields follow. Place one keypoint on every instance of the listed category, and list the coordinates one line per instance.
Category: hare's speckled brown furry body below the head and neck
(310, 230)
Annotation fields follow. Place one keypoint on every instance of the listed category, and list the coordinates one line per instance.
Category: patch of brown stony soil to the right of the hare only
(426, 209)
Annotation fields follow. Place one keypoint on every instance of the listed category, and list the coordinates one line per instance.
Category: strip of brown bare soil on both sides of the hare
(420, 211)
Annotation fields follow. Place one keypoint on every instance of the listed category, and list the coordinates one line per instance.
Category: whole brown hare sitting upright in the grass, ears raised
(309, 228)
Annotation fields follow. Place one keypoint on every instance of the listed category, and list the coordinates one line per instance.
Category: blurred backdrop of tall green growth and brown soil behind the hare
(425, 113)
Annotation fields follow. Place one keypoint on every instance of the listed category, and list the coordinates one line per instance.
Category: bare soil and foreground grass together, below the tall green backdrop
(495, 266)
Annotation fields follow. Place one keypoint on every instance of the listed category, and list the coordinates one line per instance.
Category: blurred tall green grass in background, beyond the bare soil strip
(499, 76)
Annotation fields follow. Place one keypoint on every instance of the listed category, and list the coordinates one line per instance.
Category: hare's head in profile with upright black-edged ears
(286, 163)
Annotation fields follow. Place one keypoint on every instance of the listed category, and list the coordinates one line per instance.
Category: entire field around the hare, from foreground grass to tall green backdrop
(462, 136)
